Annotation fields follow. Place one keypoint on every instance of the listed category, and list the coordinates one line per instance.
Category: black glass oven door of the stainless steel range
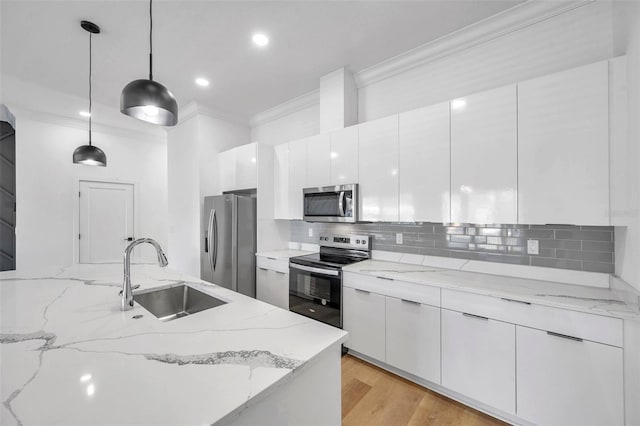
(316, 293)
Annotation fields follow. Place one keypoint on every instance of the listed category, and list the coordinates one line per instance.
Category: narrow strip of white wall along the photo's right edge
(626, 211)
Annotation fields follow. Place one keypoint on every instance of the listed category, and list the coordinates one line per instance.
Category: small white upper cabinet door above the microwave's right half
(344, 156)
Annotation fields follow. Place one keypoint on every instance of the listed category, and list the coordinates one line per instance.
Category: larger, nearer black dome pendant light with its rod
(148, 100)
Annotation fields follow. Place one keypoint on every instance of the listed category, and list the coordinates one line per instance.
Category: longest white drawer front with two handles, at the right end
(592, 327)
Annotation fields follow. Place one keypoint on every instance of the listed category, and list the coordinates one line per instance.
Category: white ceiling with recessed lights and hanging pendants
(42, 43)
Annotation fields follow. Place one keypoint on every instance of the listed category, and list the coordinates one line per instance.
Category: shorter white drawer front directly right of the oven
(427, 295)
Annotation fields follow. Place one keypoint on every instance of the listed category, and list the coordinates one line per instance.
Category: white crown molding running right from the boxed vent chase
(506, 22)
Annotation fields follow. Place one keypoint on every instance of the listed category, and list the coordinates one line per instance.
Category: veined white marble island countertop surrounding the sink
(69, 356)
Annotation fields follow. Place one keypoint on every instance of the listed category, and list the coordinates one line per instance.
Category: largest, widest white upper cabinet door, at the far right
(563, 147)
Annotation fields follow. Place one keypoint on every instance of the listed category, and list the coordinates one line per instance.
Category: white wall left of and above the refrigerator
(193, 147)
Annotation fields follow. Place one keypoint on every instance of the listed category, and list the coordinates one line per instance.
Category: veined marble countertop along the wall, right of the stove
(601, 301)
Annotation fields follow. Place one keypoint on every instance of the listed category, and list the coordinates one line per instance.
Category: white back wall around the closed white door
(47, 187)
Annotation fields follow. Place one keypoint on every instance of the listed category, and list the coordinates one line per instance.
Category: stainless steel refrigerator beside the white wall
(229, 243)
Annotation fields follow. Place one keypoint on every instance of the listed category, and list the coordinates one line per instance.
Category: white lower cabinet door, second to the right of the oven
(413, 338)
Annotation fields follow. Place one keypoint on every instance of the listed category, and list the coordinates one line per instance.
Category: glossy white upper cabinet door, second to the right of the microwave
(425, 164)
